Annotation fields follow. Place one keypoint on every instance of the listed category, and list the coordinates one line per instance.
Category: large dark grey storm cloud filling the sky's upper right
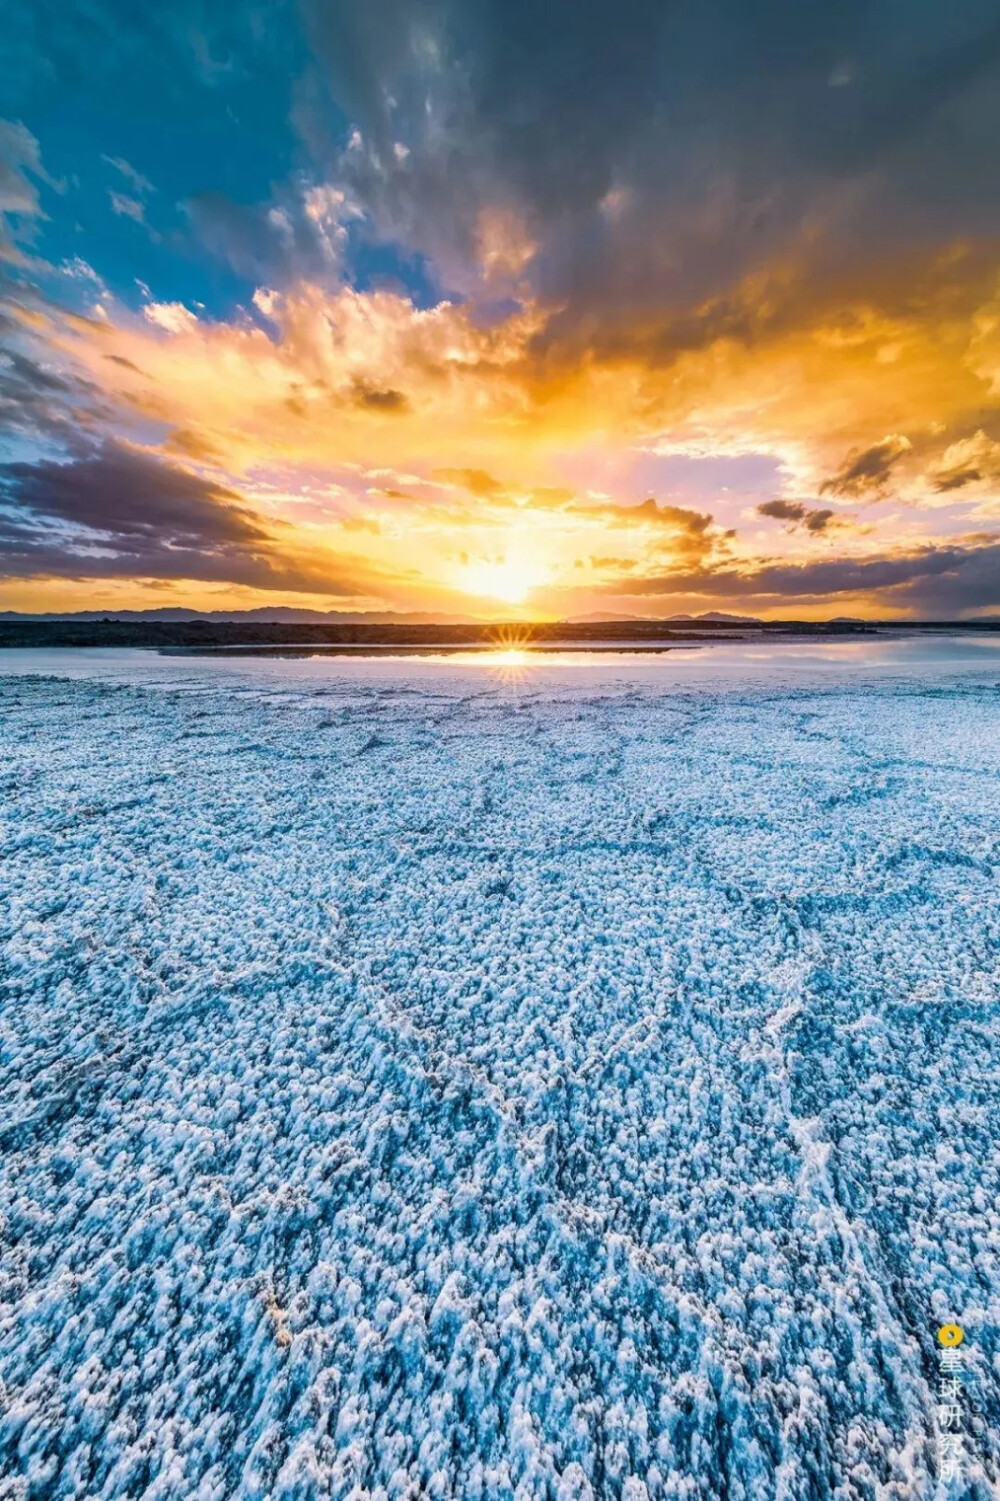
(658, 149)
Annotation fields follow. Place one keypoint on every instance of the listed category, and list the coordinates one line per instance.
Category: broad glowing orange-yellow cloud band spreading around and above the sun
(881, 399)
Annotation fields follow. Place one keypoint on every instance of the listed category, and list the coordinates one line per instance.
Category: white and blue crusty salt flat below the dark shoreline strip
(424, 1086)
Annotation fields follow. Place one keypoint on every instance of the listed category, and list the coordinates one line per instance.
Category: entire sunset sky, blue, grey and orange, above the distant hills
(498, 308)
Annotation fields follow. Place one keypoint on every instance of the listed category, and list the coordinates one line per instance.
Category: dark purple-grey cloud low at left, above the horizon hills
(119, 514)
